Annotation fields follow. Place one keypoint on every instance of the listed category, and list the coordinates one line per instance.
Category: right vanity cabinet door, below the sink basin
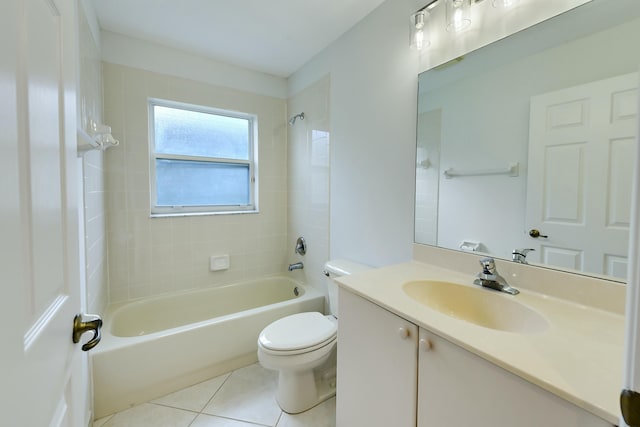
(459, 389)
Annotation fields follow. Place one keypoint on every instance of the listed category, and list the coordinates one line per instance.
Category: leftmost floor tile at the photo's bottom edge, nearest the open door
(151, 415)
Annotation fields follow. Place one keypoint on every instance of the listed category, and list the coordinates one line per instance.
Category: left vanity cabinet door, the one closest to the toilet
(377, 362)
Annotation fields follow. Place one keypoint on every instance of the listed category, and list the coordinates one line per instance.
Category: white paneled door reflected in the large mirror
(581, 155)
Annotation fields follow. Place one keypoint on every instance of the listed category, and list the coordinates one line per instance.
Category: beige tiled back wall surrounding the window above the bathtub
(150, 256)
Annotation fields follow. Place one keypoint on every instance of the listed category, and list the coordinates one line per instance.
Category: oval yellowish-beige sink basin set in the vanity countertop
(479, 306)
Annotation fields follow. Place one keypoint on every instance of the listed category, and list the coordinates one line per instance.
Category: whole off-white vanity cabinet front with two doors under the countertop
(392, 373)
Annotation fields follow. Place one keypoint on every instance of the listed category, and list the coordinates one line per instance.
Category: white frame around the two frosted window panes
(161, 211)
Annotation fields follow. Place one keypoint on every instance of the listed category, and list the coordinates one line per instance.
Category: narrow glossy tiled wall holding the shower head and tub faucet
(308, 180)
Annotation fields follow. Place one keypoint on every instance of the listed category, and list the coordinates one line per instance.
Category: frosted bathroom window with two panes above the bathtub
(202, 159)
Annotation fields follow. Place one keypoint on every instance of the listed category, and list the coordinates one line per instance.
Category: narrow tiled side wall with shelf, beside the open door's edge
(90, 104)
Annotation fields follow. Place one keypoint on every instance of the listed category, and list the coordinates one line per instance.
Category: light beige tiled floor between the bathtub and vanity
(242, 398)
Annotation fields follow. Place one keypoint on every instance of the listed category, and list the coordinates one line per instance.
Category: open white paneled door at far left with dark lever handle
(38, 215)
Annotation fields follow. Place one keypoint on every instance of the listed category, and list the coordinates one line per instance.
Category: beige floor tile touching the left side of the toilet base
(247, 395)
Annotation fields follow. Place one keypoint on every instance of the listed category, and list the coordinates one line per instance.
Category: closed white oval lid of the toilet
(297, 331)
